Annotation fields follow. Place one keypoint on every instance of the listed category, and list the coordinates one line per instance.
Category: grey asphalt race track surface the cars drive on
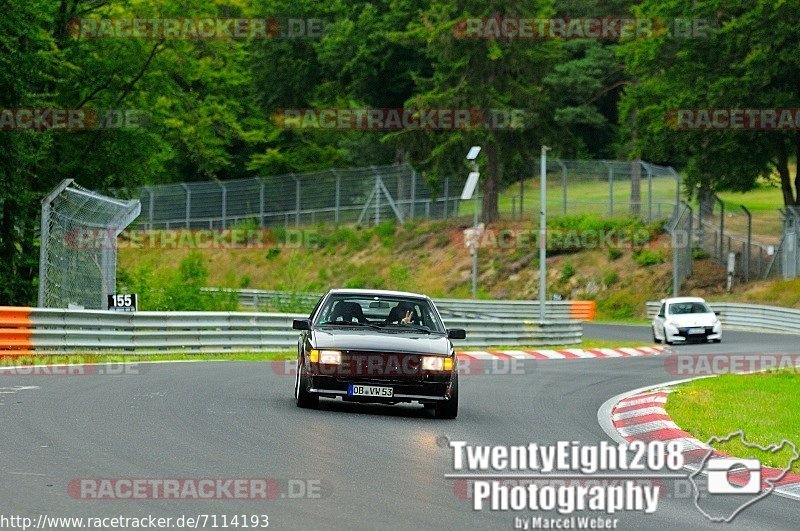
(378, 466)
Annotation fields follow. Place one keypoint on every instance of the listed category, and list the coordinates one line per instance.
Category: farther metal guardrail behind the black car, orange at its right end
(253, 299)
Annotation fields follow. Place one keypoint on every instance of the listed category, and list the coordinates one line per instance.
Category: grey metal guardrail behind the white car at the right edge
(749, 316)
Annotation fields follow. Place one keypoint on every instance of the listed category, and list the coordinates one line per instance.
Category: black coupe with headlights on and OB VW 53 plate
(377, 346)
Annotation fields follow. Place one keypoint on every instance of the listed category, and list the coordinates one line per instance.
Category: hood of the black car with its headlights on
(374, 341)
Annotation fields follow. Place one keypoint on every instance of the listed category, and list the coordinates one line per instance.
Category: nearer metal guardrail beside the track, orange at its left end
(43, 331)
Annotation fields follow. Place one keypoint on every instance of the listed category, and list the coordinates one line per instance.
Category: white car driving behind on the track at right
(684, 319)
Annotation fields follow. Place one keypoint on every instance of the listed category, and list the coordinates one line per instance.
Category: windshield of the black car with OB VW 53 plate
(384, 312)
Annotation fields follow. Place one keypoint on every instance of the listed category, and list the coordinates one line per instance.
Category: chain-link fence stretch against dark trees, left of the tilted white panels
(357, 195)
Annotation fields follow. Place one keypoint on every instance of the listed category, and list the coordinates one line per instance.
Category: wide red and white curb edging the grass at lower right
(640, 415)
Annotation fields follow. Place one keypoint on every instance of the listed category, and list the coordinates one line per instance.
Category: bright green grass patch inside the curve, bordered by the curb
(763, 405)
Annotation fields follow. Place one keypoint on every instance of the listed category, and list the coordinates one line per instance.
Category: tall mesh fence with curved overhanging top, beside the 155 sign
(78, 260)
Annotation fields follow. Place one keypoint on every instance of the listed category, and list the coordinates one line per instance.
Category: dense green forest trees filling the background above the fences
(211, 103)
